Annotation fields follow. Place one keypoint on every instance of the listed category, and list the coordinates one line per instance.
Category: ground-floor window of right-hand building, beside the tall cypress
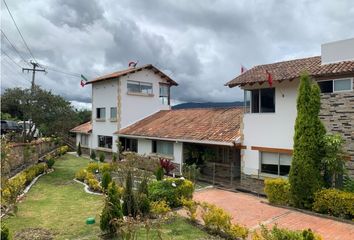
(275, 163)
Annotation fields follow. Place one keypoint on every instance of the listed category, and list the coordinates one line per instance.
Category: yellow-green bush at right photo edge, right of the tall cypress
(334, 202)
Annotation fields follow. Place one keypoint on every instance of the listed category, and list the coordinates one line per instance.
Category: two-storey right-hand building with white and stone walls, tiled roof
(270, 111)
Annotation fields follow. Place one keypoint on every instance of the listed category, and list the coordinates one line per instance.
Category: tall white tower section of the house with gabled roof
(120, 99)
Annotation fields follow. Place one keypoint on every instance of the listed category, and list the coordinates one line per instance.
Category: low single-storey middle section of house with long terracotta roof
(181, 135)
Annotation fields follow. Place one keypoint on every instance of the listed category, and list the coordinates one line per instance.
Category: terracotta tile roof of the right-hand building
(289, 70)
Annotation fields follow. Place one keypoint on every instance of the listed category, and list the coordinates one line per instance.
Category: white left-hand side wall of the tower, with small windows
(104, 94)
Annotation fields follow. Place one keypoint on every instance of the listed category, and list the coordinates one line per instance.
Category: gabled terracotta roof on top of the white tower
(133, 70)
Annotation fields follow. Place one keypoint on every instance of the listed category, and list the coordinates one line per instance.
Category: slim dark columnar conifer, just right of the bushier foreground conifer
(130, 206)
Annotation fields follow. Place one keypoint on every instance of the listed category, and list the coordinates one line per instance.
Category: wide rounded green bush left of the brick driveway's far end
(171, 190)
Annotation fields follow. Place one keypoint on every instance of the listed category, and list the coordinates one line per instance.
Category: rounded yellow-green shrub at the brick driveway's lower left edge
(215, 218)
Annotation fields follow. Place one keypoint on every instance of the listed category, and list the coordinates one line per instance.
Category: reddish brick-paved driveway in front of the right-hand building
(248, 210)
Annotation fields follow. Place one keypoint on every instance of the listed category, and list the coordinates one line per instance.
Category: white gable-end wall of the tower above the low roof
(135, 107)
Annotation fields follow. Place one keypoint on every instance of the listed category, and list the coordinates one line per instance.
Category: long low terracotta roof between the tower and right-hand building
(204, 124)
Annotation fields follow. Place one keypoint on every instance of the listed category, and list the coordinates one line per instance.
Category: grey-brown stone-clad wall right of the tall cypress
(337, 114)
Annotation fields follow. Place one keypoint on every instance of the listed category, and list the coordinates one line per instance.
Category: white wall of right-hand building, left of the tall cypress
(274, 130)
